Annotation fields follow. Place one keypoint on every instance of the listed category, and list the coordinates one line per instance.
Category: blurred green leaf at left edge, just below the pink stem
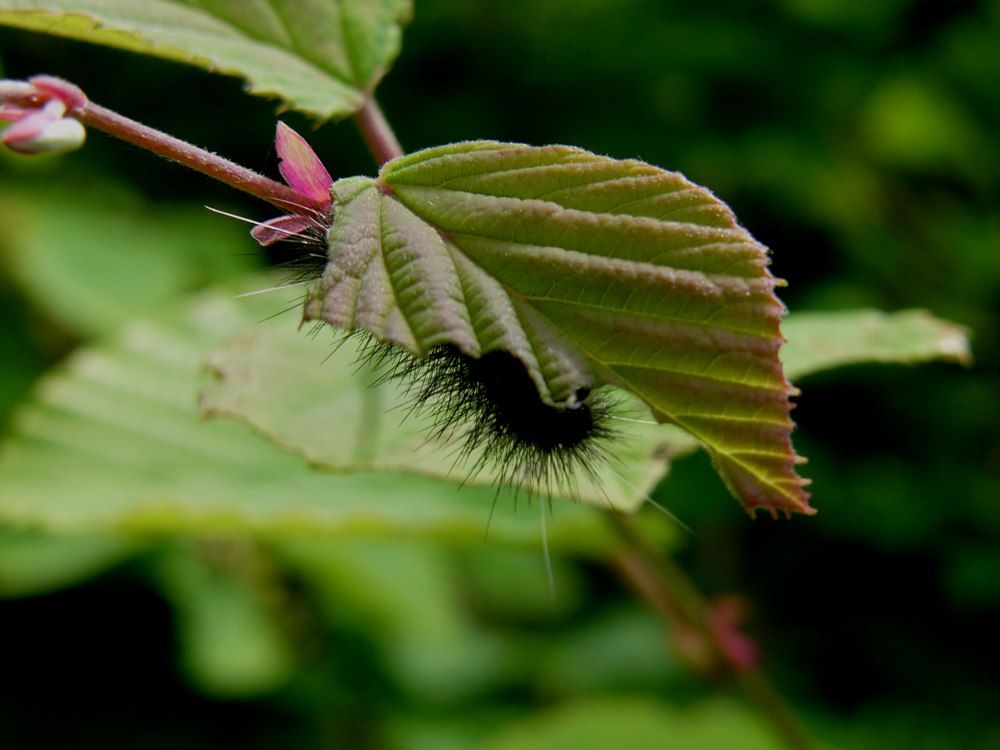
(93, 259)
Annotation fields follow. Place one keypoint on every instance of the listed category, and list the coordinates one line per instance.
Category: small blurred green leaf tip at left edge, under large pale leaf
(32, 563)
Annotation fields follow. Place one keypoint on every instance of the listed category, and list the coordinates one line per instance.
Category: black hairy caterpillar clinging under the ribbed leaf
(492, 406)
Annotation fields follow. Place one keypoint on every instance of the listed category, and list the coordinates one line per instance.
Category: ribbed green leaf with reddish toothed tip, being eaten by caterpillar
(591, 271)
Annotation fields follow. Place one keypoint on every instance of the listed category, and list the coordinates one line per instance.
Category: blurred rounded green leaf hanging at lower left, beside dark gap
(231, 645)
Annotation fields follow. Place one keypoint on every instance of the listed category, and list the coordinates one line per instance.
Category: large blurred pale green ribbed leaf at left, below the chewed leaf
(114, 440)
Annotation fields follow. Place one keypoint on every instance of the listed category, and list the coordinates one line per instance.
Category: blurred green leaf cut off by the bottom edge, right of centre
(638, 724)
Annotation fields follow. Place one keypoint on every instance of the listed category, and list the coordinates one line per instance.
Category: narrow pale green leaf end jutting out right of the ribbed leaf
(823, 340)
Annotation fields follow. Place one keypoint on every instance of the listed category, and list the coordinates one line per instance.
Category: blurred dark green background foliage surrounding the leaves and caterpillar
(857, 140)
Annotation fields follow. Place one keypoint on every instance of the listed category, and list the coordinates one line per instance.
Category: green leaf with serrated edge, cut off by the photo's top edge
(322, 58)
